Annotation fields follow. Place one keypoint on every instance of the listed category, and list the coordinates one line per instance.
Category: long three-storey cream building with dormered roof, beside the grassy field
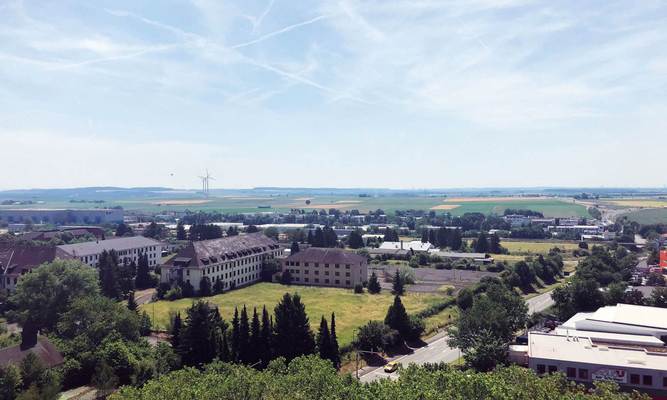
(234, 260)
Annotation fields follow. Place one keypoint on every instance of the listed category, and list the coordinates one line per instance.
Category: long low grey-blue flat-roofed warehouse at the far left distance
(61, 216)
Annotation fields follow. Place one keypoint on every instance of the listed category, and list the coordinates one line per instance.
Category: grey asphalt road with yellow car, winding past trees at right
(438, 351)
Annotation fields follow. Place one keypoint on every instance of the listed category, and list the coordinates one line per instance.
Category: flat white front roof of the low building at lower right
(583, 350)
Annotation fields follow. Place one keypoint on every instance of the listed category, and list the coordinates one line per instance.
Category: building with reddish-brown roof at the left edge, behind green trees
(18, 260)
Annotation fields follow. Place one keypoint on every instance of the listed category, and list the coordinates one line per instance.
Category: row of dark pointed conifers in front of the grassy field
(204, 335)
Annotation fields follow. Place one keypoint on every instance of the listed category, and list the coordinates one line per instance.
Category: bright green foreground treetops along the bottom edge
(310, 378)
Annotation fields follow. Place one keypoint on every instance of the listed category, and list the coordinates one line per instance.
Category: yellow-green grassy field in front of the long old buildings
(352, 310)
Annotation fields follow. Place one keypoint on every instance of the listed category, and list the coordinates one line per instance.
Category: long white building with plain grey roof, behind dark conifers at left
(128, 249)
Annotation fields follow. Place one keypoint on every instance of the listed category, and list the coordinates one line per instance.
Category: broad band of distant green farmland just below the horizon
(548, 206)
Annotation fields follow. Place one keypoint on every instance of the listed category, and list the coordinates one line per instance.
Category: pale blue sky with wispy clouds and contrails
(392, 94)
